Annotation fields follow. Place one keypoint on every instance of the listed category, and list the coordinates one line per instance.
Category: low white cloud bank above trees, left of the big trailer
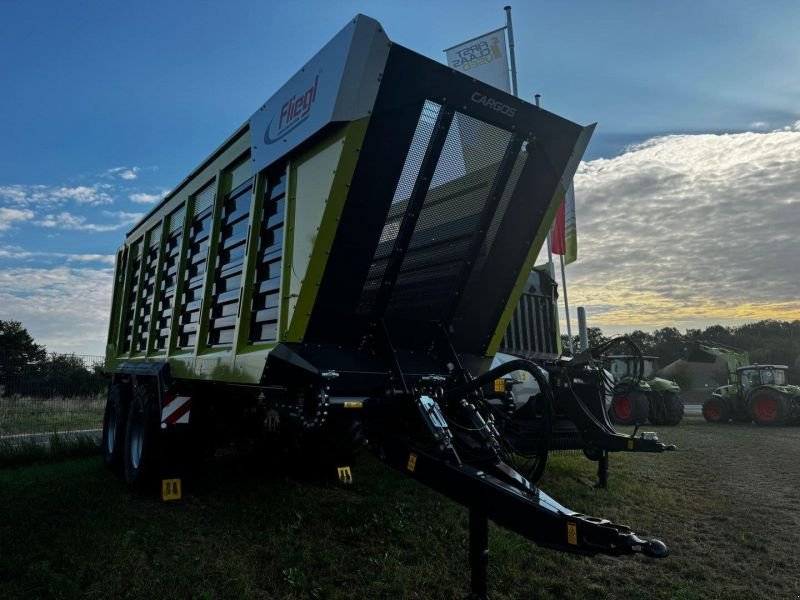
(64, 308)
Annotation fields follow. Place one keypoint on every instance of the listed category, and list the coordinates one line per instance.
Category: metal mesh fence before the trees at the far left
(60, 396)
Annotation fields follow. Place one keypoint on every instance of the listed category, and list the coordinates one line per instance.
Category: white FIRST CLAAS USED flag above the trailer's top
(484, 58)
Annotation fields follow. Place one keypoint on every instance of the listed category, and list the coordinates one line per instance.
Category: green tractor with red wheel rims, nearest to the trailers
(640, 396)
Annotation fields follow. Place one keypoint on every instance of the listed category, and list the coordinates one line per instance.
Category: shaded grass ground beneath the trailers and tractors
(726, 504)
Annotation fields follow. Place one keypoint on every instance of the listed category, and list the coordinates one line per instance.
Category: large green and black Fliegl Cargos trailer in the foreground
(345, 265)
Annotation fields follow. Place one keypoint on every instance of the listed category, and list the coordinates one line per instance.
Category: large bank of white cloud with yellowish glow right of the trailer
(690, 229)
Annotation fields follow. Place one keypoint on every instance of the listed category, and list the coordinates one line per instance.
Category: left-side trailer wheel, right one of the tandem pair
(142, 437)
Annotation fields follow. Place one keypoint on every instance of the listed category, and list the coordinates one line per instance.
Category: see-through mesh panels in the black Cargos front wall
(428, 281)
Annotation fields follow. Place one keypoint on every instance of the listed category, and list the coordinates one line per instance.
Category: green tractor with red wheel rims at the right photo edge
(759, 393)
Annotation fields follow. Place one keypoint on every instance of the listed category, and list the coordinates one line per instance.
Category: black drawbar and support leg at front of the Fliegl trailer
(491, 489)
